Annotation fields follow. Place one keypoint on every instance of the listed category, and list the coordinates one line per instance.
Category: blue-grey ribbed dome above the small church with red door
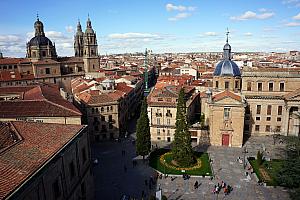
(227, 68)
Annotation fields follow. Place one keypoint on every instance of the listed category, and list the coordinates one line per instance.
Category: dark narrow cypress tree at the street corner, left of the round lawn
(143, 143)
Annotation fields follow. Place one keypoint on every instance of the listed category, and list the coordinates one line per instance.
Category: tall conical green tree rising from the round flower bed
(181, 146)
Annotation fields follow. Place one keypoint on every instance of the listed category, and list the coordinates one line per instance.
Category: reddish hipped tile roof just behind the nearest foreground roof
(36, 101)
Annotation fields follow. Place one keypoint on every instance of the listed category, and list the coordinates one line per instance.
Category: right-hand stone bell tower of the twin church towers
(90, 49)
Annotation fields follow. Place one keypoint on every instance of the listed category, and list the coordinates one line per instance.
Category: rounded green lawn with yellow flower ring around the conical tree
(161, 160)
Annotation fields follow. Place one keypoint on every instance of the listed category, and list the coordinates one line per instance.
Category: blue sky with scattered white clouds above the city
(129, 26)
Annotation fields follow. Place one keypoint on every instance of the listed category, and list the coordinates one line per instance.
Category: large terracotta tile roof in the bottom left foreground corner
(40, 142)
